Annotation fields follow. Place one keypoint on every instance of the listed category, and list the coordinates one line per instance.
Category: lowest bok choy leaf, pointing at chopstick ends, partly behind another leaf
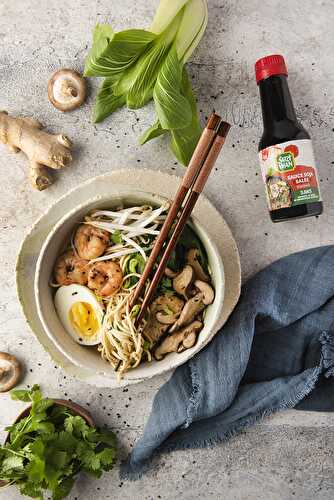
(184, 141)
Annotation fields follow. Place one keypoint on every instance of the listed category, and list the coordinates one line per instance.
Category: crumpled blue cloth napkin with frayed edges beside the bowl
(275, 352)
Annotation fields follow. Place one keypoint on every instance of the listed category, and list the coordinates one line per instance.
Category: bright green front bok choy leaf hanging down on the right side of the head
(173, 108)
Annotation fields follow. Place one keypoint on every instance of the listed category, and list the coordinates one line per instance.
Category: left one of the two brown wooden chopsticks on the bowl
(196, 162)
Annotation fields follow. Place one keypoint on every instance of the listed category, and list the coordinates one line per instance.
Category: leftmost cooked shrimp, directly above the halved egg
(71, 269)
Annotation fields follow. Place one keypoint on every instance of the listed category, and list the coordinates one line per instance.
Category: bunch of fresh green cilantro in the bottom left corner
(49, 448)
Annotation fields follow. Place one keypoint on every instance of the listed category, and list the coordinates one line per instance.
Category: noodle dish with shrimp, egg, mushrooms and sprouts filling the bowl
(96, 273)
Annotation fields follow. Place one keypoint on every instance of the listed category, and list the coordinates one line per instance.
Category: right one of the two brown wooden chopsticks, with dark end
(196, 190)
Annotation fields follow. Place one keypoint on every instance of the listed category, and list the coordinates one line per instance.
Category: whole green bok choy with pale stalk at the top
(140, 65)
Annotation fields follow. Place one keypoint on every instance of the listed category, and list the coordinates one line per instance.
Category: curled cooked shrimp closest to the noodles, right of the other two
(105, 278)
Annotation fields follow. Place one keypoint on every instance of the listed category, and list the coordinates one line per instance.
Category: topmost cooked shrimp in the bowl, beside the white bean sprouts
(90, 242)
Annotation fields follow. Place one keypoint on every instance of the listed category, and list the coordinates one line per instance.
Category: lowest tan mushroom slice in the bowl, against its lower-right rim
(179, 341)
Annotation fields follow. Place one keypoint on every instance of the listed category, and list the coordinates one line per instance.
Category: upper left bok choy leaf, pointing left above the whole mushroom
(112, 55)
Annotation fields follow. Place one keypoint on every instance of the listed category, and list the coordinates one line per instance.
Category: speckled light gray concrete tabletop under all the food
(289, 456)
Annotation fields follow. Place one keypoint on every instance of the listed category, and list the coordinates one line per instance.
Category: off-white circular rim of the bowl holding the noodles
(123, 191)
